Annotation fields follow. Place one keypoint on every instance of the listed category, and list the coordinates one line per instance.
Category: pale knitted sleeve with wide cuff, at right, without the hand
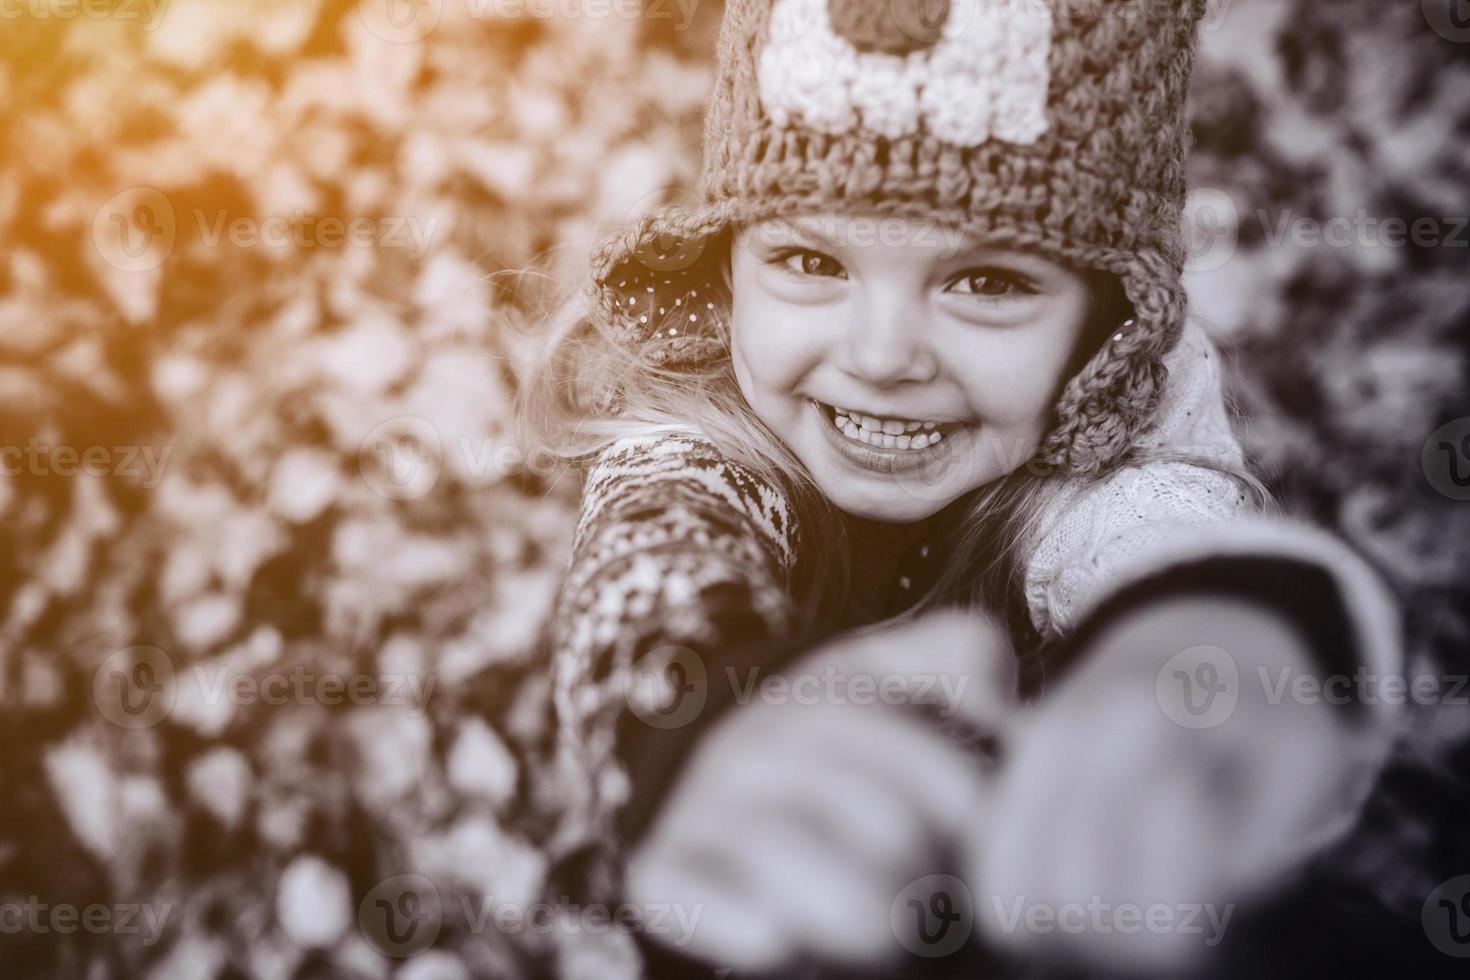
(1186, 506)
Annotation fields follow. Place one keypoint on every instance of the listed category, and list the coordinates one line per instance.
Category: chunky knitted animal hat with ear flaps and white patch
(1047, 126)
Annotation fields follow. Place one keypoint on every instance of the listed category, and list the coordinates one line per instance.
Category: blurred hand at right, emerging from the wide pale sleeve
(1119, 803)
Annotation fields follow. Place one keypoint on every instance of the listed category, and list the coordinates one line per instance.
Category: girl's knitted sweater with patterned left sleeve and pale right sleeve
(680, 550)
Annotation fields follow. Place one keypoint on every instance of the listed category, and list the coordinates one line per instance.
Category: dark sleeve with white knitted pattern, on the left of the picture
(677, 549)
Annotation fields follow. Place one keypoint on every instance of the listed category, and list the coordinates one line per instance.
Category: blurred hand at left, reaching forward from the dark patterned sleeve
(797, 824)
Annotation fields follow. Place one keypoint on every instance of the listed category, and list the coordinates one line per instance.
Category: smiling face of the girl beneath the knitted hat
(902, 364)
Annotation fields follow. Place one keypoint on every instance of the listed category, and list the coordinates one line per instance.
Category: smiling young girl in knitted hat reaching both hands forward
(924, 347)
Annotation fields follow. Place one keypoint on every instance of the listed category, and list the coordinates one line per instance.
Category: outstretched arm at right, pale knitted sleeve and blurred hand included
(1209, 721)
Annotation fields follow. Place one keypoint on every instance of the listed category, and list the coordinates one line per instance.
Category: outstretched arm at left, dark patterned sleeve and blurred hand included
(787, 826)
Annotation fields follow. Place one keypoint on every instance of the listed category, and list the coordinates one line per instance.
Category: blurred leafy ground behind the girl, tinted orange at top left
(180, 311)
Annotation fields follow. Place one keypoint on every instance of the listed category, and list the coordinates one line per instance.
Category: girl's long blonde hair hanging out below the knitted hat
(590, 389)
